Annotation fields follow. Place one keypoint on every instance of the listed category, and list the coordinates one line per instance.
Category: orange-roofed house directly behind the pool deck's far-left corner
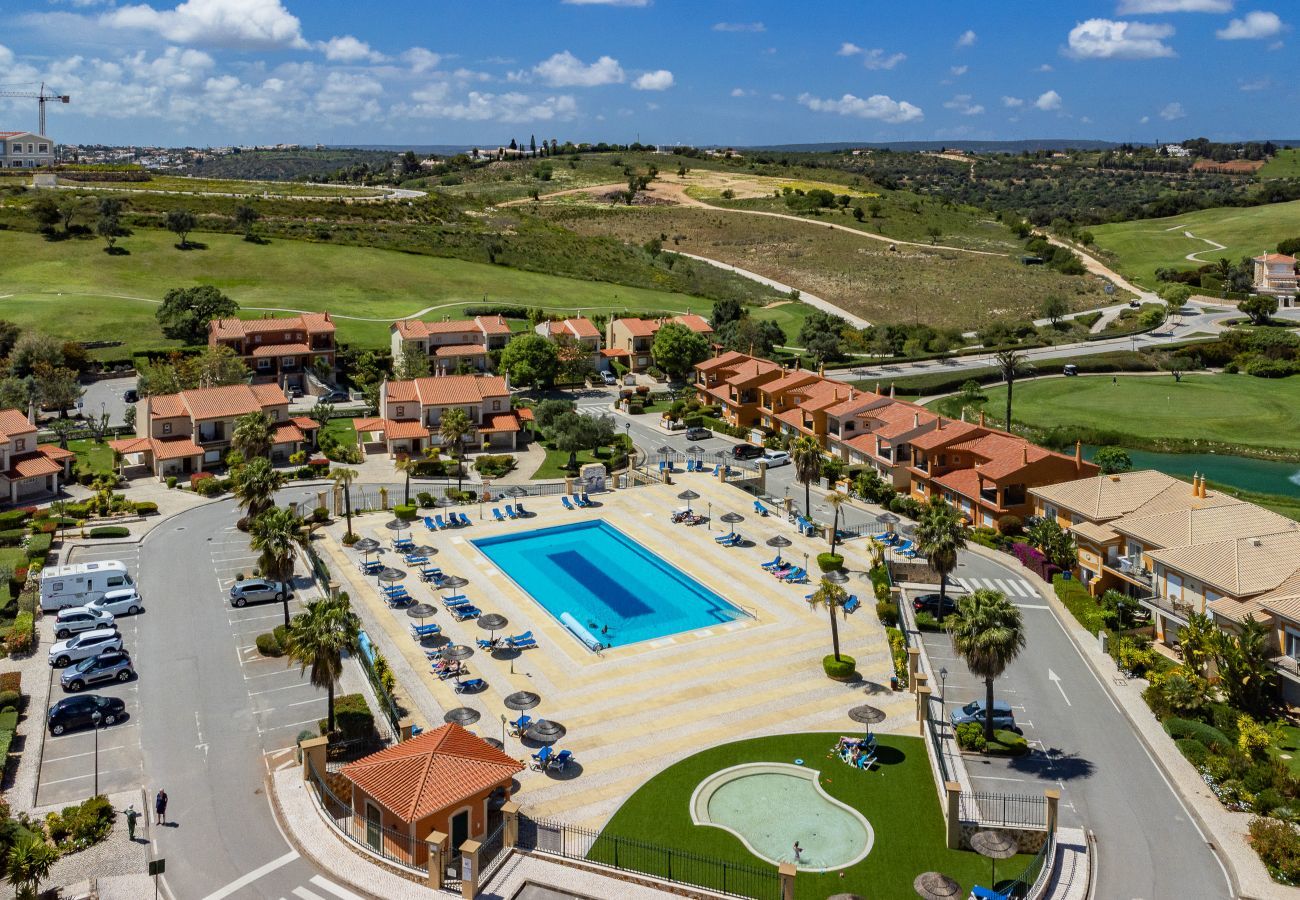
(413, 413)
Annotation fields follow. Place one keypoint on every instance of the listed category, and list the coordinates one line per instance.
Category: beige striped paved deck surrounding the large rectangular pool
(640, 708)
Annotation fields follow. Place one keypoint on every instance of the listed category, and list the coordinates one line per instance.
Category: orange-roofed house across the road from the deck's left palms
(188, 432)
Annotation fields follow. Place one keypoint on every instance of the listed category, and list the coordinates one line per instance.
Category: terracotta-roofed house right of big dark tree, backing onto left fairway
(280, 351)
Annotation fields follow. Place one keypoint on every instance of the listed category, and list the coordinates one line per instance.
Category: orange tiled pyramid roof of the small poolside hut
(432, 773)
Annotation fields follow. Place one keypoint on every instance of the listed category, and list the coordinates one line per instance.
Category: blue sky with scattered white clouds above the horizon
(717, 72)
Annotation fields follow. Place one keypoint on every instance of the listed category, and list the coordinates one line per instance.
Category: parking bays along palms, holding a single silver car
(283, 700)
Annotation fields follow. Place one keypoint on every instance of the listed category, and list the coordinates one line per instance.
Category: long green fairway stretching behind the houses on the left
(77, 292)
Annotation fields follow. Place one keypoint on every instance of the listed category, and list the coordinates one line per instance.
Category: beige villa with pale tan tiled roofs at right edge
(1180, 548)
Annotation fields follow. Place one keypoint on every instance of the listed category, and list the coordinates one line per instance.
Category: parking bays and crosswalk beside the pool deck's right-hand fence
(1042, 768)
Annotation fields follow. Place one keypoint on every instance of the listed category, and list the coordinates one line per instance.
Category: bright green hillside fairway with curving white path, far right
(1146, 245)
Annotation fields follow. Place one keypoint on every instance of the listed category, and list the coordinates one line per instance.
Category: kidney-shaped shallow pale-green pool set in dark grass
(772, 806)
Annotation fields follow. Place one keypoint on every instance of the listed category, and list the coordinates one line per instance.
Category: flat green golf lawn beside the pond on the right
(1230, 409)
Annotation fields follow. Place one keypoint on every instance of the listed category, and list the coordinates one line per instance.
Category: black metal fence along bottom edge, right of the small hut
(662, 863)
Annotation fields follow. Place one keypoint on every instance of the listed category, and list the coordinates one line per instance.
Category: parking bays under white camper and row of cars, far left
(68, 763)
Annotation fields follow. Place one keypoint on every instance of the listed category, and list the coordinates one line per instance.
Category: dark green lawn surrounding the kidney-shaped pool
(898, 799)
